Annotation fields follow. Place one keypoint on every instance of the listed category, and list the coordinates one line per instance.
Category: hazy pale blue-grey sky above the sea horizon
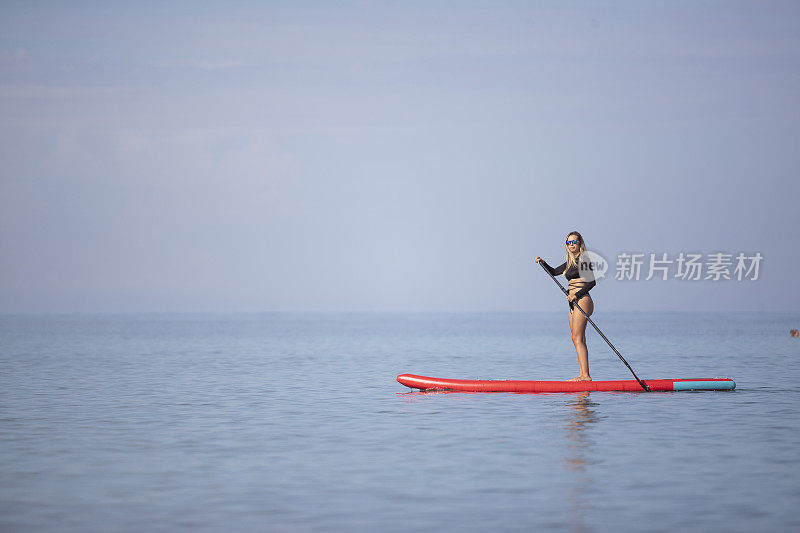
(258, 156)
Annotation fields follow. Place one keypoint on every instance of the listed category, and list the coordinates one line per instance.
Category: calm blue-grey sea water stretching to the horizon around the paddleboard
(275, 422)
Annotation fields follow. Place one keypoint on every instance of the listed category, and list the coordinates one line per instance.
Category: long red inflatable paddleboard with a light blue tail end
(627, 385)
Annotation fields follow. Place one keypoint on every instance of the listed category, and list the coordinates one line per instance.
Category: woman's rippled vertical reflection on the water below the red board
(579, 420)
